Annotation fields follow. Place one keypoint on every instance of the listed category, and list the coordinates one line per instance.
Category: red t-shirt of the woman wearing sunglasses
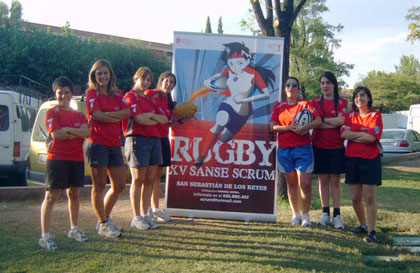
(284, 114)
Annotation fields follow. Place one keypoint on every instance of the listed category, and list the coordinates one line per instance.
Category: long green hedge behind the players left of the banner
(43, 56)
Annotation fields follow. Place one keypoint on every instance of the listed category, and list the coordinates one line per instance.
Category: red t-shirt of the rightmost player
(371, 124)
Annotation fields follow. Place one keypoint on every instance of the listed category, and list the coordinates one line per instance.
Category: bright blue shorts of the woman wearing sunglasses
(299, 158)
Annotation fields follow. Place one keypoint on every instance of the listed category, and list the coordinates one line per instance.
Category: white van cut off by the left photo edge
(17, 117)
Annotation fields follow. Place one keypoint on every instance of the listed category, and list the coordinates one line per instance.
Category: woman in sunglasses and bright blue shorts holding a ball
(294, 153)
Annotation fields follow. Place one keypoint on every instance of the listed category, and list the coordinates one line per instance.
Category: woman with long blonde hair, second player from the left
(106, 108)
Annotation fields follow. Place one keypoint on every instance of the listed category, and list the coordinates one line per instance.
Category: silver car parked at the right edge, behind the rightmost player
(400, 141)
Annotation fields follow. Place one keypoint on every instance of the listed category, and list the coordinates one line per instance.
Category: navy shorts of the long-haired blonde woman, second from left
(103, 156)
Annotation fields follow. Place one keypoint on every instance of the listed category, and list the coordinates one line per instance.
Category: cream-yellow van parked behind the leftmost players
(38, 150)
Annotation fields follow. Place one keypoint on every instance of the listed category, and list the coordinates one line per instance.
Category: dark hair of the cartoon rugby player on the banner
(239, 49)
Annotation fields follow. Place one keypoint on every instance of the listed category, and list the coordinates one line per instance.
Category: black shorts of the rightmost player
(364, 171)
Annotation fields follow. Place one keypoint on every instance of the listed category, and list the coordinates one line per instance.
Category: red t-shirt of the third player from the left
(139, 105)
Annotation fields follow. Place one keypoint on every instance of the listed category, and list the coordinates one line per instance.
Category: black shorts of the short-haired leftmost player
(63, 174)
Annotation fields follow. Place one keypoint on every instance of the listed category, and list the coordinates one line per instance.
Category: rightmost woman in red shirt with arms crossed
(363, 130)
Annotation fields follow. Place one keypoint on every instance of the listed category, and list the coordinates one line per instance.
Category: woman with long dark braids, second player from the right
(328, 147)
